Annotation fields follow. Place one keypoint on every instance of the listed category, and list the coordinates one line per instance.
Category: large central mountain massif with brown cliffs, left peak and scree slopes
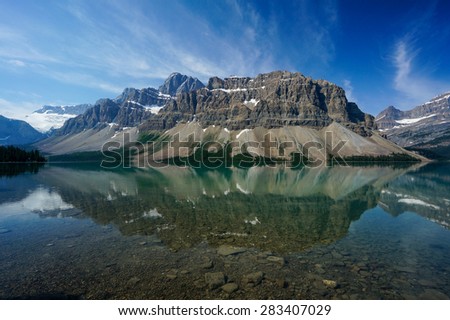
(288, 106)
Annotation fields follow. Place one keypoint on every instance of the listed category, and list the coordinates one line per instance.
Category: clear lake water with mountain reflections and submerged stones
(344, 232)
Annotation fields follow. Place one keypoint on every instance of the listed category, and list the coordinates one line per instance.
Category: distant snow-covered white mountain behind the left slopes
(49, 118)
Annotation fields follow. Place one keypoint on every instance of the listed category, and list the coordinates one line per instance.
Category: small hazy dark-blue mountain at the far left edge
(17, 132)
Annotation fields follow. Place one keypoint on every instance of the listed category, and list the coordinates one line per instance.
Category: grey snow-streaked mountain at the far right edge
(425, 128)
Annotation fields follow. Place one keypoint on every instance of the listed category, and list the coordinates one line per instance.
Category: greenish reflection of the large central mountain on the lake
(290, 211)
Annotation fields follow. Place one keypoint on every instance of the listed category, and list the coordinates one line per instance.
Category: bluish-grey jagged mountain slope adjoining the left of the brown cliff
(112, 119)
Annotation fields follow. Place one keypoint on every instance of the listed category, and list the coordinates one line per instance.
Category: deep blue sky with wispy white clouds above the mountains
(67, 52)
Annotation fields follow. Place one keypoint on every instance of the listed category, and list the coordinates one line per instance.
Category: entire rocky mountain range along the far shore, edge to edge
(288, 106)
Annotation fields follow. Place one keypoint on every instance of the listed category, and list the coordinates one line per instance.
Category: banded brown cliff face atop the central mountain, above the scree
(271, 100)
